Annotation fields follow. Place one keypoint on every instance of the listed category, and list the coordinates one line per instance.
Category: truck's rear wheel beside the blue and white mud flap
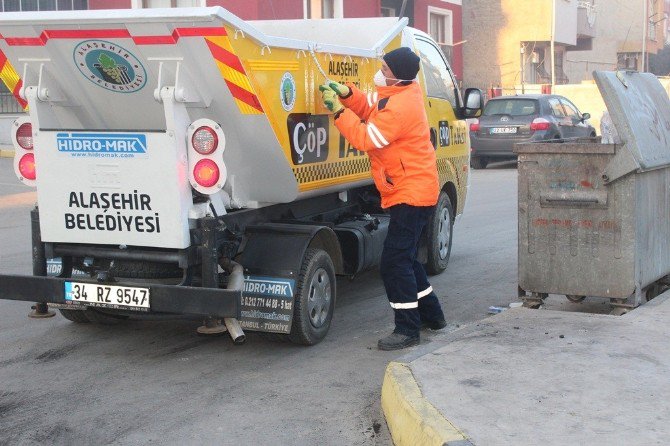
(314, 299)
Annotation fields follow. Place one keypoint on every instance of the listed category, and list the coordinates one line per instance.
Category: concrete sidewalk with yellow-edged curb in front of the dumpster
(530, 377)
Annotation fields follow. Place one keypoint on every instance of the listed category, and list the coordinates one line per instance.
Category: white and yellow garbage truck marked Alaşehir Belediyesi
(184, 164)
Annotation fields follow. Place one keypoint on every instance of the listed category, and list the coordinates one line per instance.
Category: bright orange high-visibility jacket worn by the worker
(391, 126)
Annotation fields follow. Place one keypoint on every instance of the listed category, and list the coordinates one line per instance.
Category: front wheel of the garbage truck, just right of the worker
(440, 232)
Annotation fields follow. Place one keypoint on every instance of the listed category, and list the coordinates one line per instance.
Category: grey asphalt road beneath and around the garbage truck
(157, 382)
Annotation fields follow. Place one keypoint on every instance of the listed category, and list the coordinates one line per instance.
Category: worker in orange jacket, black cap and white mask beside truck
(391, 126)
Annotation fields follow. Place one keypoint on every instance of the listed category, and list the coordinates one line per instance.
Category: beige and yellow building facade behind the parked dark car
(529, 45)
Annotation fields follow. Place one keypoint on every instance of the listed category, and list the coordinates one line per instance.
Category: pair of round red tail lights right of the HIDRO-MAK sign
(206, 144)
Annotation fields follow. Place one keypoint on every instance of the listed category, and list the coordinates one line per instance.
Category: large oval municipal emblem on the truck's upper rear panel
(110, 66)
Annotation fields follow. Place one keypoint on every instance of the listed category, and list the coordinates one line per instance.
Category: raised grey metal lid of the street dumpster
(640, 109)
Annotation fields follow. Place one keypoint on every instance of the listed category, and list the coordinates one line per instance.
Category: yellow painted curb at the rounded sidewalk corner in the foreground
(412, 420)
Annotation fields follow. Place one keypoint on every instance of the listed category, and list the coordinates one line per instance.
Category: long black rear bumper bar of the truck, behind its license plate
(164, 298)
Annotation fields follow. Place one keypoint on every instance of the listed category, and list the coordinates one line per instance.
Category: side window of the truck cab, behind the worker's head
(439, 81)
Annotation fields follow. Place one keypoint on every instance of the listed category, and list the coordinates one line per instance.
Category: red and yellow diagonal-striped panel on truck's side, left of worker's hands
(234, 74)
